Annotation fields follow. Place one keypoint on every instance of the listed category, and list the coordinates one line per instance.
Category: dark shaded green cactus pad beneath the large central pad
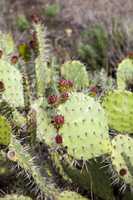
(89, 177)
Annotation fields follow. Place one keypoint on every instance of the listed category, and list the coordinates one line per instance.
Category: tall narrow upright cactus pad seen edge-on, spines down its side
(43, 72)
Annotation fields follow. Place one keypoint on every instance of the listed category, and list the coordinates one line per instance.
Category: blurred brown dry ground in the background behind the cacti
(75, 15)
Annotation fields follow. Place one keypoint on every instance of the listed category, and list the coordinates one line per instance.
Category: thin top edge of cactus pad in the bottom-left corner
(15, 197)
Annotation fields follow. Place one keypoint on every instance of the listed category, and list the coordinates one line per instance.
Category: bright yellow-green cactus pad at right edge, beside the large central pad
(118, 106)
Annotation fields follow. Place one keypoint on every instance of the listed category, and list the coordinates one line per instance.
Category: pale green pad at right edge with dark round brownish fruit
(122, 157)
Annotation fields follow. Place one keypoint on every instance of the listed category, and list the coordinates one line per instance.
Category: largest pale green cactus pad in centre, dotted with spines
(85, 129)
